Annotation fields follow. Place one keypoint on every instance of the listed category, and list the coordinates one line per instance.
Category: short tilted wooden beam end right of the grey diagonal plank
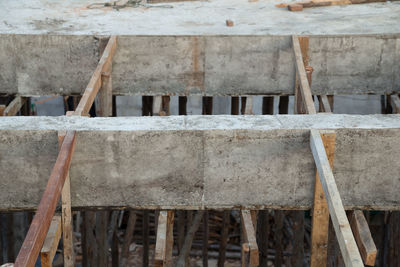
(363, 237)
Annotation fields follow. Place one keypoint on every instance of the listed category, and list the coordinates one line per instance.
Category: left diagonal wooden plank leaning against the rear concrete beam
(103, 69)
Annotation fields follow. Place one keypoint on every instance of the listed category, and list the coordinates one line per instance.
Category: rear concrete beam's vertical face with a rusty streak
(206, 65)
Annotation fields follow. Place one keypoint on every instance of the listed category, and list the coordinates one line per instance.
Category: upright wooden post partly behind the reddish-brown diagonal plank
(66, 215)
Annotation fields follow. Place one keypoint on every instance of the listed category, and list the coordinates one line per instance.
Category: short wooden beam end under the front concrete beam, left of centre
(165, 239)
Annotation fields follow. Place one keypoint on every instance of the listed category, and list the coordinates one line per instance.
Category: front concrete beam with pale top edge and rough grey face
(201, 161)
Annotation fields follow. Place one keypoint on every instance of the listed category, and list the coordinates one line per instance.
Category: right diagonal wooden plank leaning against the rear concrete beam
(305, 90)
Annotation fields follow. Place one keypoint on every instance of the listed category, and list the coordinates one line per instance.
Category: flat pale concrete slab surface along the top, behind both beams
(196, 18)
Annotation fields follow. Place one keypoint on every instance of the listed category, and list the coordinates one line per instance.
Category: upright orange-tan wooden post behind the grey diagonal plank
(320, 218)
